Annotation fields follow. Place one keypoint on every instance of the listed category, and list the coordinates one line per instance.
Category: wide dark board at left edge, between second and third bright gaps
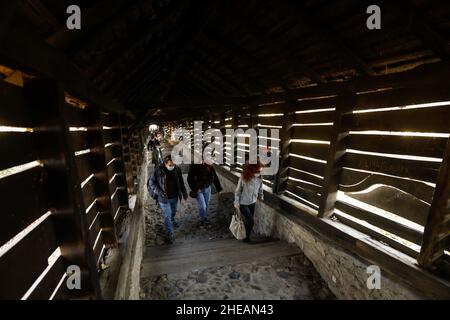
(25, 200)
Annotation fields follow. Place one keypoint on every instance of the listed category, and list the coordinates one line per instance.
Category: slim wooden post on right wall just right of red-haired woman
(280, 181)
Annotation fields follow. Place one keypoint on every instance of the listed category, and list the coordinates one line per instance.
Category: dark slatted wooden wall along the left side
(63, 177)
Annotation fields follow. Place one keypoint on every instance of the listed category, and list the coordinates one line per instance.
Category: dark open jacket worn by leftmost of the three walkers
(157, 186)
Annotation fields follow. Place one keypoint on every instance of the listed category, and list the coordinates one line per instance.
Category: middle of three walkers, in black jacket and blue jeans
(200, 178)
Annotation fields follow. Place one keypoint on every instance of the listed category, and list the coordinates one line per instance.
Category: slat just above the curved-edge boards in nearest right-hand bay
(420, 170)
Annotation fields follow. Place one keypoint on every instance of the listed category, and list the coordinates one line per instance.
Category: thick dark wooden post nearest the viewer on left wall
(46, 99)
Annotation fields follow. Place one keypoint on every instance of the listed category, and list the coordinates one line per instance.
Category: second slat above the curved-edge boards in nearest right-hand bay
(417, 146)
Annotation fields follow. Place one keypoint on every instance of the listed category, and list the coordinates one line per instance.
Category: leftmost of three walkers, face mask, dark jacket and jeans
(166, 185)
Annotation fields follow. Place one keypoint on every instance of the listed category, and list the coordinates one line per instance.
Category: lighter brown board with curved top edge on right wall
(397, 202)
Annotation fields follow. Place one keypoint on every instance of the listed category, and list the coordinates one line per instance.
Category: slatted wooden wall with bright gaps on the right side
(370, 159)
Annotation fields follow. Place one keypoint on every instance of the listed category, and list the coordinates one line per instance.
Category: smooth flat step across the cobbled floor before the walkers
(179, 258)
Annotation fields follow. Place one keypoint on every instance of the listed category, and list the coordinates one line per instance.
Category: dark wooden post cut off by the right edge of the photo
(436, 235)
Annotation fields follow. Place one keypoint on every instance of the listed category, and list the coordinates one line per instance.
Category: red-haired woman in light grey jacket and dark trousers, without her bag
(249, 187)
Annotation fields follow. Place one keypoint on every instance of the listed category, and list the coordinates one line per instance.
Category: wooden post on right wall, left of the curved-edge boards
(345, 102)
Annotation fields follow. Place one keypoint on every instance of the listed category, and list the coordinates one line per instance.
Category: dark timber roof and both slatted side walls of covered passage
(364, 115)
